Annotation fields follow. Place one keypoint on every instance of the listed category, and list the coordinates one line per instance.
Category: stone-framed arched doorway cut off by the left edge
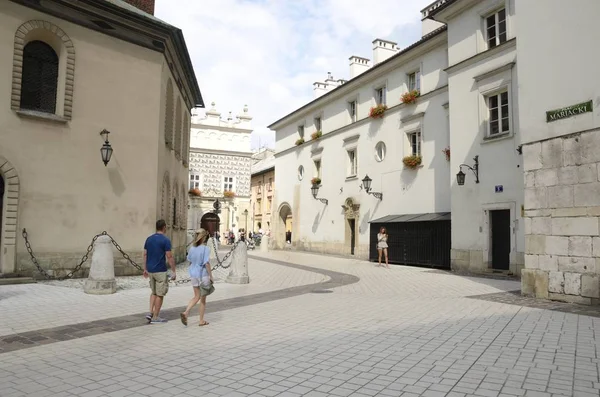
(9, 206)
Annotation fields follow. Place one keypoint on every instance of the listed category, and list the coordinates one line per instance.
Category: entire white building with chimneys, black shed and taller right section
(467, 109)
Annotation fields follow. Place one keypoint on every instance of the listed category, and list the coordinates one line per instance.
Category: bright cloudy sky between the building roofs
(268, 53)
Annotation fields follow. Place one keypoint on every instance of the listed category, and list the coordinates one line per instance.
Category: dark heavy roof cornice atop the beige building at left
(137, 28)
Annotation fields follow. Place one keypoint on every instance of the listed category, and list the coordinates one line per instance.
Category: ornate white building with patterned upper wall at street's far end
(220, 161)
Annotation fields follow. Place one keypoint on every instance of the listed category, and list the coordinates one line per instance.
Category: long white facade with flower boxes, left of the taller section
(328, 227)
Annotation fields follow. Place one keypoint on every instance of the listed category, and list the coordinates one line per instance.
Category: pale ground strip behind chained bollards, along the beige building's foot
(133, 282)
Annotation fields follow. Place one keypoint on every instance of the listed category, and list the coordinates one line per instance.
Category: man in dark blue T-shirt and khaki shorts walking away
(157, 251)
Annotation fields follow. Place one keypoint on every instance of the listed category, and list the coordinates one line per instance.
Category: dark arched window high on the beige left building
(40, 77)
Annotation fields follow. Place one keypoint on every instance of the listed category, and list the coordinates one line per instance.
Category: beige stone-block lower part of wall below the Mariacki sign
(562, 214)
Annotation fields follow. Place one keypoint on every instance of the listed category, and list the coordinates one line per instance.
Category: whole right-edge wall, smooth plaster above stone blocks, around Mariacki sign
(561, 151)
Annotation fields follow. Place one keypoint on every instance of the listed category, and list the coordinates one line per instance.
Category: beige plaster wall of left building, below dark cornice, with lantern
(66, 194)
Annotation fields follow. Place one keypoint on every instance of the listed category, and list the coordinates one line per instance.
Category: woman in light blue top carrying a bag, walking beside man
(201, 275)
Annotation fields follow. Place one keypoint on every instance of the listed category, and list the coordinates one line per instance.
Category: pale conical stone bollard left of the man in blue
(101, 280)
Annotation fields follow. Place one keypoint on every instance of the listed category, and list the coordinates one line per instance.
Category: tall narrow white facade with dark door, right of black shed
(478, 73)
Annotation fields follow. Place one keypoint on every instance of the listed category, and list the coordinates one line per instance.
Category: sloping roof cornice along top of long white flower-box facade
(430, 41)
